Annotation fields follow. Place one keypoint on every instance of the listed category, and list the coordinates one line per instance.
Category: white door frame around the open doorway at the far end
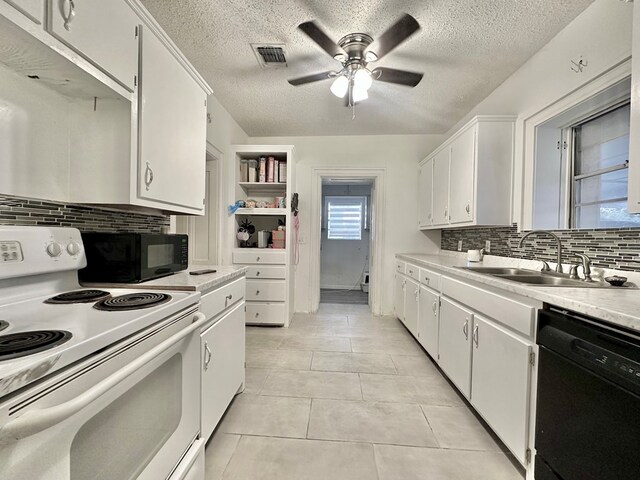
(377, 176)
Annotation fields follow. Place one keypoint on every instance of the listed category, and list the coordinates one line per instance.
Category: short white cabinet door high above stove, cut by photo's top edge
(103, 32)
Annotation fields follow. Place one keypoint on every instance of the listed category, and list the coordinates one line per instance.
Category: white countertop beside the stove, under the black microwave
(183, 281)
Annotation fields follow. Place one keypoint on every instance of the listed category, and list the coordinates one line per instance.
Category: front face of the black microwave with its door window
(162, 254)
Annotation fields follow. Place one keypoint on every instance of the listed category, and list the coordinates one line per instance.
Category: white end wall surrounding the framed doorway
(399, 155)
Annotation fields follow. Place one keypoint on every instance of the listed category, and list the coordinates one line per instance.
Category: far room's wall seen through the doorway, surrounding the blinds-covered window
(343, 261)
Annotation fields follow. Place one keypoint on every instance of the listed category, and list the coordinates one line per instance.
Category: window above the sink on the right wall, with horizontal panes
(600, 174)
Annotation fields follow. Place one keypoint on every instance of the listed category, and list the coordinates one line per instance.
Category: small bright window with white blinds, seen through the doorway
(345, 216)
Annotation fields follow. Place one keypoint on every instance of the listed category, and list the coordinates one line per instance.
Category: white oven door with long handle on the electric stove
(130, 413)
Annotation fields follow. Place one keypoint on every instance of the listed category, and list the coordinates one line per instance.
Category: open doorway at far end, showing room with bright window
(345, 243)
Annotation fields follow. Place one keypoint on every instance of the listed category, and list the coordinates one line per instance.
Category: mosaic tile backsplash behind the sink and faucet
(616, 248)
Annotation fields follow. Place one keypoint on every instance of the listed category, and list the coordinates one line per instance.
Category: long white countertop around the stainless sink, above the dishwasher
(619, 306)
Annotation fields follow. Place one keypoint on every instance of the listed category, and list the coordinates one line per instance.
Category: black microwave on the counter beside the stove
(132, 257)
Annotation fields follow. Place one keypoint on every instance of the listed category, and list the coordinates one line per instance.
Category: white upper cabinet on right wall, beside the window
(472, 175)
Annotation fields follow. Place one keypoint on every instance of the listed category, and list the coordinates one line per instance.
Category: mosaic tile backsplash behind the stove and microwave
(26, 211)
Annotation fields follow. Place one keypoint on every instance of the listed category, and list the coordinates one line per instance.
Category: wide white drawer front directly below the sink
(517, 314)
